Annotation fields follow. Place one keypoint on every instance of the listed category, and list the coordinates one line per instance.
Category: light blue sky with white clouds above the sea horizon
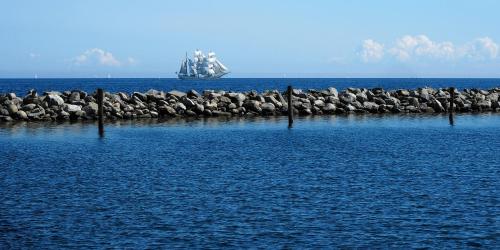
(357, 38)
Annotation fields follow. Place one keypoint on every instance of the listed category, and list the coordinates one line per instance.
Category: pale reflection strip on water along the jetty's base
(401, 120)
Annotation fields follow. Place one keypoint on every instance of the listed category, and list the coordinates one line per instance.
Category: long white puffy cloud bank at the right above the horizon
(420, 47)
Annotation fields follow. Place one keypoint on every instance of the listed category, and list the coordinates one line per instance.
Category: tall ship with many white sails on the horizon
(202, 67)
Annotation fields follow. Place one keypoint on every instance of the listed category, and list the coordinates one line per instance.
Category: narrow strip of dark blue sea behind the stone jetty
(21, 86)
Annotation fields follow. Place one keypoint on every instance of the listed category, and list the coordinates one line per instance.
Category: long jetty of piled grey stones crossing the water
(80, 105)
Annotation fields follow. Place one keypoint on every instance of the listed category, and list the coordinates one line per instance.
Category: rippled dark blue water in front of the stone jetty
(341, 181)
